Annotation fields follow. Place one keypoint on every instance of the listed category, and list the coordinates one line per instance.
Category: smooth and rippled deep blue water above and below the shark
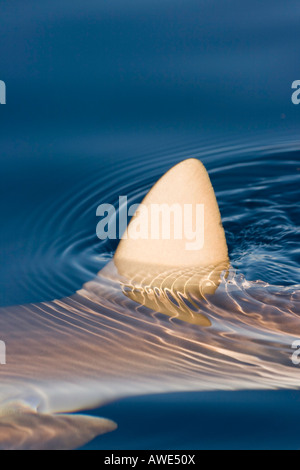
(104, 97)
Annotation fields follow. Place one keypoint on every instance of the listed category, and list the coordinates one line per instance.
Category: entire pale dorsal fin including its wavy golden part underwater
(167, 275)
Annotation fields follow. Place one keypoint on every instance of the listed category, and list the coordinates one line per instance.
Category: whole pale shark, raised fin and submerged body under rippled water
(158, 318)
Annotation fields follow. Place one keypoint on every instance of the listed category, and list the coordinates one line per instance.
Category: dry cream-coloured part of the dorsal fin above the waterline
(183, 188)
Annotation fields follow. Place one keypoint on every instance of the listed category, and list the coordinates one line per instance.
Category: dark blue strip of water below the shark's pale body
(214, 420)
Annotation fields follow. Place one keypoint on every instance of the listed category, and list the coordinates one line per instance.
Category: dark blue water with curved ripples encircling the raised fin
(257, 190)
